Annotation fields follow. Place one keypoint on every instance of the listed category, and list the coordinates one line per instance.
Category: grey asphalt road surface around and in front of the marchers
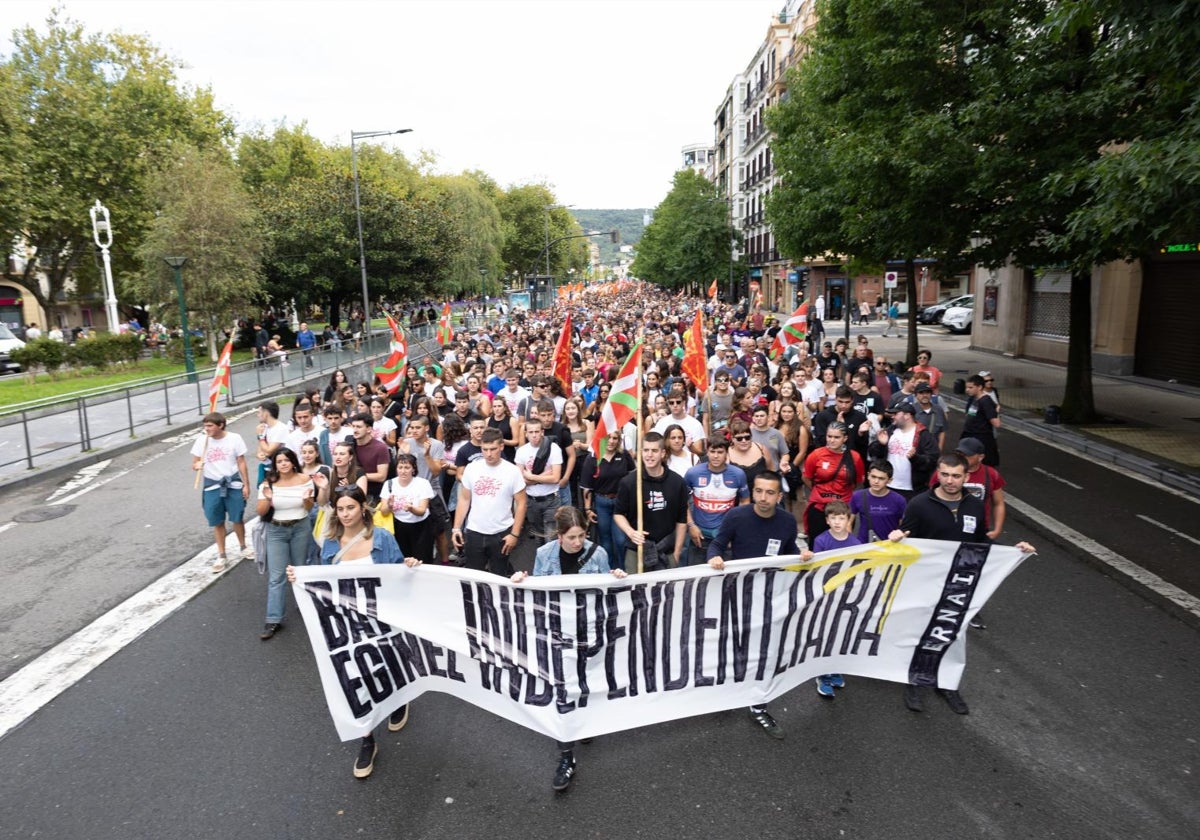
(1083, 693)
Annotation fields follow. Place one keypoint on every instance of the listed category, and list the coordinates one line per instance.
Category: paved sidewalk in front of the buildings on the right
(1151, 428)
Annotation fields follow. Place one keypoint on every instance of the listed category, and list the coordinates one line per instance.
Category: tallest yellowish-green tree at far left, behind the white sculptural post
(92, 117)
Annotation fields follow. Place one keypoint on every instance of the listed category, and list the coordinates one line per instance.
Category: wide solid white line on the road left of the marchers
(52, 674)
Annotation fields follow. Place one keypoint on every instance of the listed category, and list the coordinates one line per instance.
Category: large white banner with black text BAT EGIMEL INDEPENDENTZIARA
(580, 656)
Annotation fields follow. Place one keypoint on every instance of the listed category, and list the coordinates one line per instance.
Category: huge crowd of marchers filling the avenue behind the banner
(503, 454)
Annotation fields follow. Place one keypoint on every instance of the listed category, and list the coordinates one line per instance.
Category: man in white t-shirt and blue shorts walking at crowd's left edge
(223, 457)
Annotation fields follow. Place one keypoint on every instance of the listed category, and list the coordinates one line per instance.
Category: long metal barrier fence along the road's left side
(47, 433)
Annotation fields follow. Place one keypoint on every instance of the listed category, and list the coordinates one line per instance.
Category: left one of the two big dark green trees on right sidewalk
(872, 140)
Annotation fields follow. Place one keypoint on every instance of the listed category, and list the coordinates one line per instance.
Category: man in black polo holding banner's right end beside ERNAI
(946, 513)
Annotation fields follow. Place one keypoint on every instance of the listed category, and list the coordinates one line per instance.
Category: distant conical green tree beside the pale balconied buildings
(688, 242)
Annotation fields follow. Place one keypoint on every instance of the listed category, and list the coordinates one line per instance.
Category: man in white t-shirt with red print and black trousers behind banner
(491, 507)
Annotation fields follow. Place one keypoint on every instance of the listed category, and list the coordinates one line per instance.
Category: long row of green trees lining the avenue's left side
(263, 218)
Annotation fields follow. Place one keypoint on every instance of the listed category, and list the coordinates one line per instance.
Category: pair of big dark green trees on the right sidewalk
(1049, 133)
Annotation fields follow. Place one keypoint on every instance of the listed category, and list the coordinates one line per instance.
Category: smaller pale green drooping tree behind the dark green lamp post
(205, 214)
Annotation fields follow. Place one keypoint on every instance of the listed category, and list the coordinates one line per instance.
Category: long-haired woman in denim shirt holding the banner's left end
(353, 538)
